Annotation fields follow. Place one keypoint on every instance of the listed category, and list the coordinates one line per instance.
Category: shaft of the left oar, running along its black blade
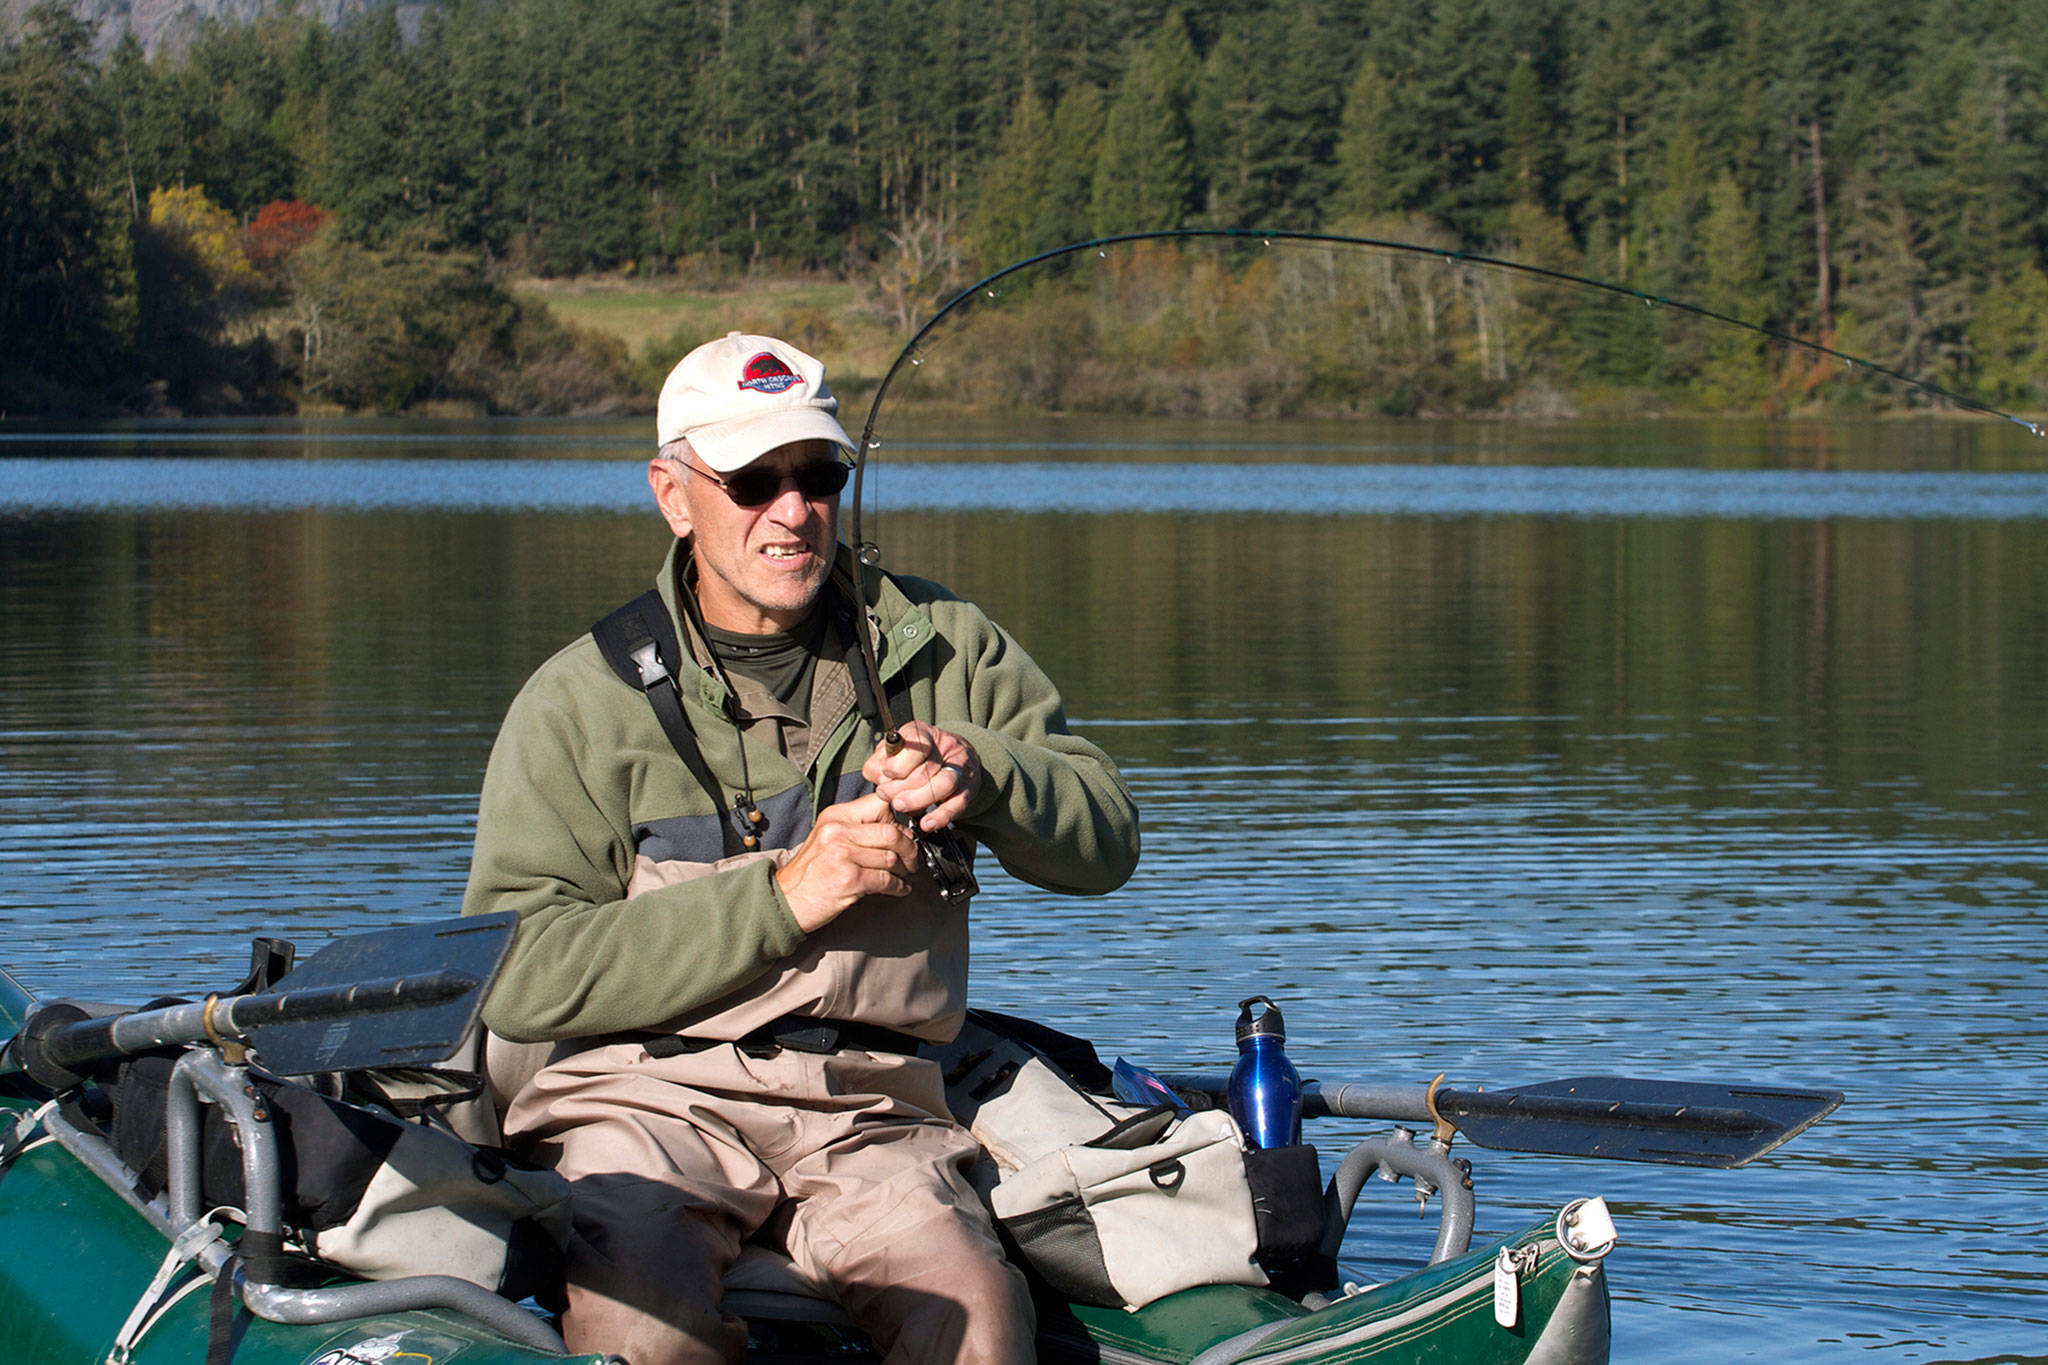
(234, 1018)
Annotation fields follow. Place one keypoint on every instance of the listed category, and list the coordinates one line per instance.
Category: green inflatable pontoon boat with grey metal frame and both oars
(93, 1272)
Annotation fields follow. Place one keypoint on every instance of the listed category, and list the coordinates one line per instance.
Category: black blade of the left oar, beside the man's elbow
(413, 1037)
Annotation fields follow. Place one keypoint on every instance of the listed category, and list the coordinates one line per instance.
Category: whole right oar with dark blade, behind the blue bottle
(1617, 1118)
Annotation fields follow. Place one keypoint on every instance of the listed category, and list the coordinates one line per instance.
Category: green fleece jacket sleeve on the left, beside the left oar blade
(554, 846)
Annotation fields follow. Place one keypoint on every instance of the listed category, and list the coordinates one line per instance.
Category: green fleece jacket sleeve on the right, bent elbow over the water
(1052, 807)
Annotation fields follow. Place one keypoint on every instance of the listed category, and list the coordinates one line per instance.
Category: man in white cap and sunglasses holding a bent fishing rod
(732, 936)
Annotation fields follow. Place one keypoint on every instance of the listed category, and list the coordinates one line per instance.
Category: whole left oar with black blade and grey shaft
(396, 998)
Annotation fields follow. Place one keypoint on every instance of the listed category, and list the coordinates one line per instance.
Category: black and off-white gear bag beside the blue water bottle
(1117, 1204)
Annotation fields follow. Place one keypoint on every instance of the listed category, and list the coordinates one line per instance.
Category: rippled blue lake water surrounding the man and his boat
(1514, 752)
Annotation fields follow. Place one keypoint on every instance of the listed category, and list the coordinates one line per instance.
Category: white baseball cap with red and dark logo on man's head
(742, 396)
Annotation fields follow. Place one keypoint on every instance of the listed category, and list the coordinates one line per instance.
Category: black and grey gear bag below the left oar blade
(364, 1190)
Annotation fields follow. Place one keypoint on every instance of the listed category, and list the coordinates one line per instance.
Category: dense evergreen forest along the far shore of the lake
(284, 214)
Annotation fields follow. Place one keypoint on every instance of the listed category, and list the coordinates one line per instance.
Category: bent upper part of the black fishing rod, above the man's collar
(912, 353)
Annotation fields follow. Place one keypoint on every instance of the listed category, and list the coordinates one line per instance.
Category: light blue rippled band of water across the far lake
(1093, 488)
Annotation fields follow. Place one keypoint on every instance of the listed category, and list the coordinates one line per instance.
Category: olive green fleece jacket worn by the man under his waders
(585, 795)
